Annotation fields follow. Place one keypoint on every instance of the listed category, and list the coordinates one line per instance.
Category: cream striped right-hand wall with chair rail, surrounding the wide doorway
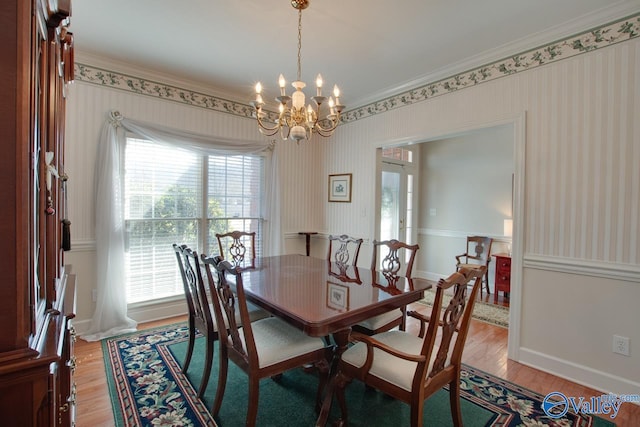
(580, 206)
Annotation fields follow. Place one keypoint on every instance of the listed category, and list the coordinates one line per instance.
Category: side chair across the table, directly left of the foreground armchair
(398, 259)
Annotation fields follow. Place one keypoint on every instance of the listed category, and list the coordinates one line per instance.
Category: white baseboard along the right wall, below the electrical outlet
(580, 374)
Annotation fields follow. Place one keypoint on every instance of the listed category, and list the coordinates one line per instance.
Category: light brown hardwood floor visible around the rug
(486, 349)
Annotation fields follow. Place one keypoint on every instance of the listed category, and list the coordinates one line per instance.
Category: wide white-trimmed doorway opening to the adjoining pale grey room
(441, 229)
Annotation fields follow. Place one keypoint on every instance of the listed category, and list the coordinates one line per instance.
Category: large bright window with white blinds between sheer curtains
(177, 196)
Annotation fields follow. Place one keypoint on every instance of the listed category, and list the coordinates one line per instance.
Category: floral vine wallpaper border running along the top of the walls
(605, 35)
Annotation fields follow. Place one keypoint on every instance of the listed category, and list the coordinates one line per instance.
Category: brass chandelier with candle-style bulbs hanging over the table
(295, 119)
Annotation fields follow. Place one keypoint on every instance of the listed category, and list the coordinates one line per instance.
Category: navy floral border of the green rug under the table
(511, 404)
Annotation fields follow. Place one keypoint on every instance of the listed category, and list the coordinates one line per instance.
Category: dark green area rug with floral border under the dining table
(148, 388)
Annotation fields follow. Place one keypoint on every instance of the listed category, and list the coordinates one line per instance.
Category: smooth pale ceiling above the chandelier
(370, 48)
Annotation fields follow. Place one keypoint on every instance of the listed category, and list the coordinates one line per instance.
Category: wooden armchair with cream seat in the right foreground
(411, 368)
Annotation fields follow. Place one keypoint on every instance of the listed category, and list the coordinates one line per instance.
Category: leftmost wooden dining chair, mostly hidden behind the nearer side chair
(201, 317)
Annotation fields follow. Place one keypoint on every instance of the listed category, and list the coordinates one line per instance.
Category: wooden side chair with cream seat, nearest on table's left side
(262, 349)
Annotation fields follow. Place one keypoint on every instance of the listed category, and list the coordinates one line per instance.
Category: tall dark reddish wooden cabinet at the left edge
(37, 291)
